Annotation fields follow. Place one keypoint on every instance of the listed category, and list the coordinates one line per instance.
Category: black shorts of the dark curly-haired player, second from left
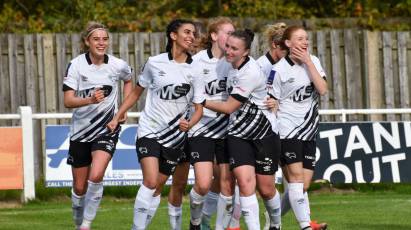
(168, 158)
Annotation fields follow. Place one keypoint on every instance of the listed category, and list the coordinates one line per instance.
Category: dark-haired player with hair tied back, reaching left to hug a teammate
(252, 140)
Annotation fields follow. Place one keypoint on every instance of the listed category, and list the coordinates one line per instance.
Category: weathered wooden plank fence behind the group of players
(364, 69)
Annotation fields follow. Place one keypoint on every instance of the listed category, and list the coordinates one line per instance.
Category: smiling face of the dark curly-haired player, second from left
(184, 37)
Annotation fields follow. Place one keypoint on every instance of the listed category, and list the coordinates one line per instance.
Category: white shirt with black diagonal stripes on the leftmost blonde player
(82, 76)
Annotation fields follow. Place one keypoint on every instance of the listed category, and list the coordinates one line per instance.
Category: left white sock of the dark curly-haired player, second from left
(142, 205)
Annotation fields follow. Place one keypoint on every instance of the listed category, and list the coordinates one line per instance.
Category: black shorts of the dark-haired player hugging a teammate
(263, 154)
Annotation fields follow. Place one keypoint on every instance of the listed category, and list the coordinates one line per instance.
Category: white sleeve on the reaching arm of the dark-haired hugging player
(243, 86)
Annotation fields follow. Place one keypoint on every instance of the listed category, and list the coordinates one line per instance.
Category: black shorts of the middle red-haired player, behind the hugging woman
(203, 149)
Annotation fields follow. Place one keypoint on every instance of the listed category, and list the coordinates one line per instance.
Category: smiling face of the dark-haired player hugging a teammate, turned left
(235, 51)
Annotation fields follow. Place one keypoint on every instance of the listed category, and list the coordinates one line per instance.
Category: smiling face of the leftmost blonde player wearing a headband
(98, 43)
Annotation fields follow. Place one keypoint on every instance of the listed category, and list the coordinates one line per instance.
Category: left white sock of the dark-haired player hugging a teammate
(250, 212)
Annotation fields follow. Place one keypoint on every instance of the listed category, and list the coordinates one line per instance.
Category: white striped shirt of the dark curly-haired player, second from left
(171, 88)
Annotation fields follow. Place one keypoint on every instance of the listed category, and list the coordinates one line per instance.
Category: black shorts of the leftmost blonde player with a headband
(79, 154)
